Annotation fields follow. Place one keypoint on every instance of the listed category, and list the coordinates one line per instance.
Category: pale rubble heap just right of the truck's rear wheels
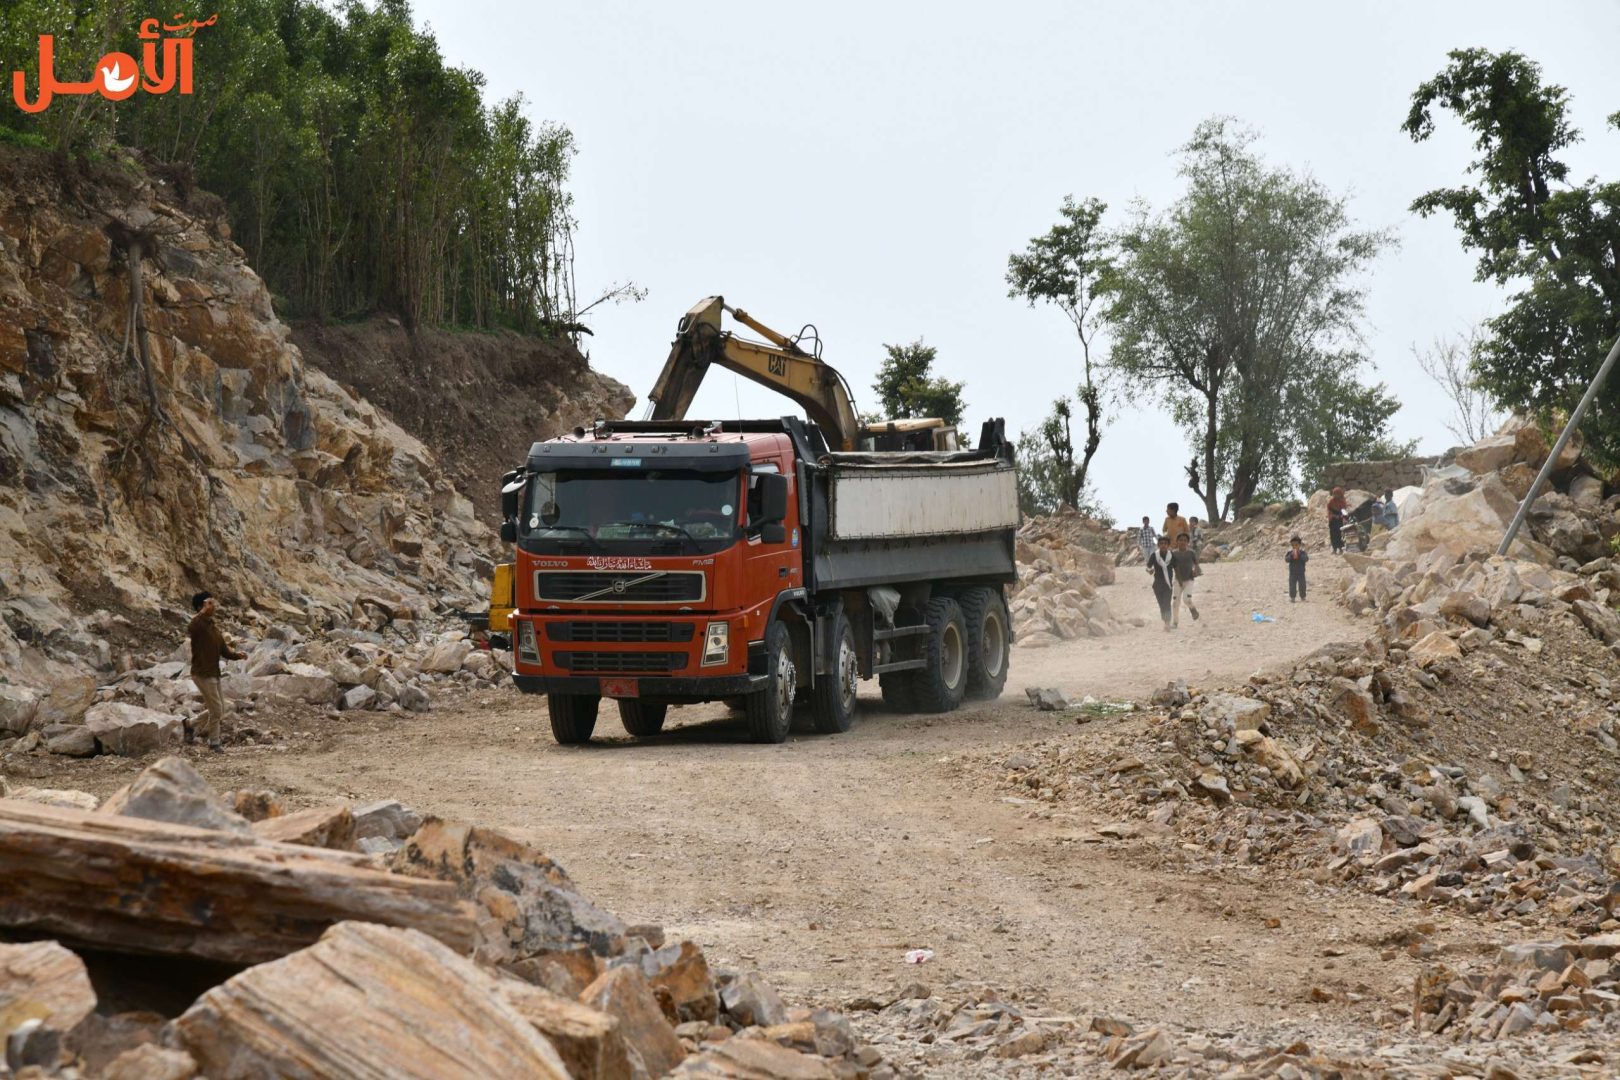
(1062, 563)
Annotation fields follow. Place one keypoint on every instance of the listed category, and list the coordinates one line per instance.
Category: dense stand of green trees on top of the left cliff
(359, 169)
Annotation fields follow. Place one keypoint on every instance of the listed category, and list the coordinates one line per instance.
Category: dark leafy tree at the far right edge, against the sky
(1532, 227)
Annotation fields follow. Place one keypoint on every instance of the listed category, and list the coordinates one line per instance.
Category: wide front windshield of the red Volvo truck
(642, 512)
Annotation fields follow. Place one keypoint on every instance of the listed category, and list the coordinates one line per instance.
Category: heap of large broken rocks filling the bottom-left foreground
(365, 942)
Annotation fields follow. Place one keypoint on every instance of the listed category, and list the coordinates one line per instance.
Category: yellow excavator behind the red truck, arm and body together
(782, 364)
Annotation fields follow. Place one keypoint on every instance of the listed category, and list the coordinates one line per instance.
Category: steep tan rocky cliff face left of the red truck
(187, 448)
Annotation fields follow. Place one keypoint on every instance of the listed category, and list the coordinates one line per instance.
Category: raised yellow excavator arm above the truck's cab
(778, 364)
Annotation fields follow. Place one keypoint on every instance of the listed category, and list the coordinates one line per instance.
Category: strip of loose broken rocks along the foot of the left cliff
(147, 710)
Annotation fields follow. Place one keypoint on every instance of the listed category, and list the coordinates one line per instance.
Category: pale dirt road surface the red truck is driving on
(824, 861)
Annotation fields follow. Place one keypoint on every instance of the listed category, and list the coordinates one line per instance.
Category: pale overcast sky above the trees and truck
(869, 168)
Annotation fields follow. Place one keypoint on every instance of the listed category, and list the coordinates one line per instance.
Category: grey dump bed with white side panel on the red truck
(887, 519)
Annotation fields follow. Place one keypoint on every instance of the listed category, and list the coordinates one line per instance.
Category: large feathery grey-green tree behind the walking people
(1240, 310)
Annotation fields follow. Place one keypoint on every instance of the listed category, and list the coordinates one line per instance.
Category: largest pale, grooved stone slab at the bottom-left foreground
(369, 1003)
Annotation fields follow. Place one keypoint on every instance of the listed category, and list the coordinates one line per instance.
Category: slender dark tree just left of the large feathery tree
(1065, 268)
